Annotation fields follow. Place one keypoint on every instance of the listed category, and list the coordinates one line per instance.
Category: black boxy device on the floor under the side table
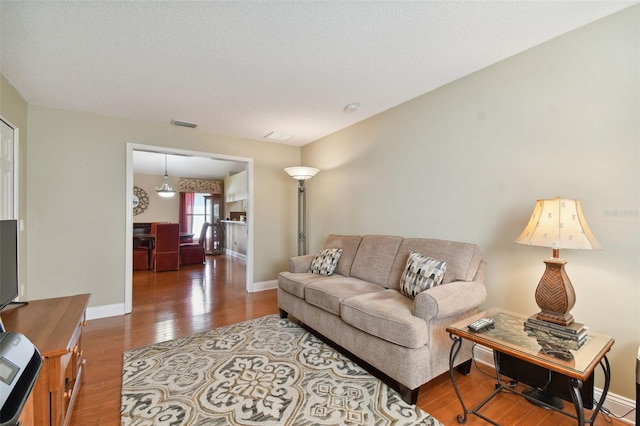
(548, 386)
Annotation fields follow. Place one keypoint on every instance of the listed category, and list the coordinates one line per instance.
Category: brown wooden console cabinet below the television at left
(54, 326)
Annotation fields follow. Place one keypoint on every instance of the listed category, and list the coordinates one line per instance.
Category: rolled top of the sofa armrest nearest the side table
(449, 299)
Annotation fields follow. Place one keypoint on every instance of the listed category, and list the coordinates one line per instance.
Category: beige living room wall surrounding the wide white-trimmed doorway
(76, 196)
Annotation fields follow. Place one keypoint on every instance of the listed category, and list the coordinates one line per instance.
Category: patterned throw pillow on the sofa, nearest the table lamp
(421, 273)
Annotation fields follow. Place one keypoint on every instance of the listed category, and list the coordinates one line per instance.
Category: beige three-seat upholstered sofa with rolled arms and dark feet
(361, 309)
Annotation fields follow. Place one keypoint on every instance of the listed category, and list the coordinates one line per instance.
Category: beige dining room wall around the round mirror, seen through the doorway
(160, 209)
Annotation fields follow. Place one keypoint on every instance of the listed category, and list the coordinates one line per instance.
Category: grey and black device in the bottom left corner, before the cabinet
(20, 364)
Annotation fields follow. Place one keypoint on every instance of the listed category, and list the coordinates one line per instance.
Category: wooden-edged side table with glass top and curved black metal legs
(509, 337)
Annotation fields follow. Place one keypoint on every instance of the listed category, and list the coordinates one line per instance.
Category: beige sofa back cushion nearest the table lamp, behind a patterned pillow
(463, 259)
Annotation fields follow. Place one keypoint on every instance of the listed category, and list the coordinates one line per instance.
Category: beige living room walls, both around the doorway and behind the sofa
(464, 162)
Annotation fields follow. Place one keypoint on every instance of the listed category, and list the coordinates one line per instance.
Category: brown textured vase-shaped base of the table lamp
(555, 295)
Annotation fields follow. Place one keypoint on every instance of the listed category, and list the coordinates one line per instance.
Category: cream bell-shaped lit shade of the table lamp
(558, 223)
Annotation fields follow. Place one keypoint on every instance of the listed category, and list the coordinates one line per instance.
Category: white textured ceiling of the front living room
(248, 68)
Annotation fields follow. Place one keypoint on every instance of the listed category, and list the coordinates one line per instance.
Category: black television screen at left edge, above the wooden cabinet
(8, 261)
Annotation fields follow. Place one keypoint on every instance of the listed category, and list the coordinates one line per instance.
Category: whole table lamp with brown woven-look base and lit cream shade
(557, 223)
